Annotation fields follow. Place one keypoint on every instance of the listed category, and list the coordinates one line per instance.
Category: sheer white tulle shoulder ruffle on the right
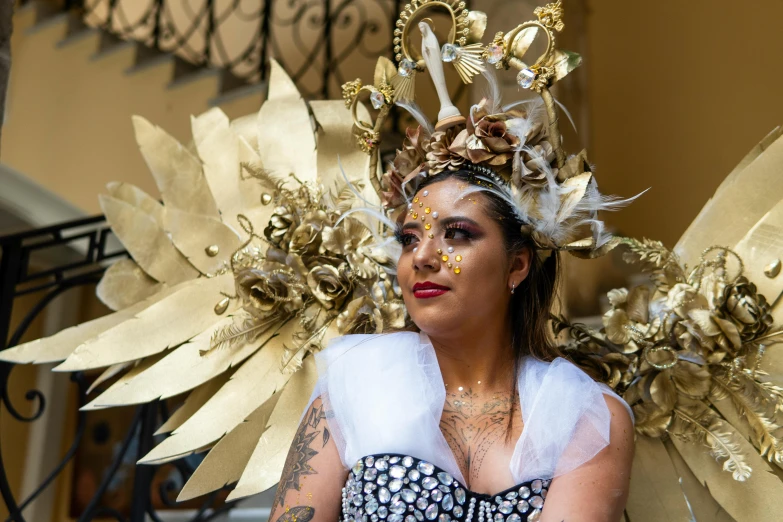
(566, 419)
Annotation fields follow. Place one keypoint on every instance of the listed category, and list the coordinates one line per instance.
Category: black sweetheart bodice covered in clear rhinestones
(401, 488)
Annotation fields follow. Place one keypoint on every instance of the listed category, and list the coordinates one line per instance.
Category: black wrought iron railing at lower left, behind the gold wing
(75, 254)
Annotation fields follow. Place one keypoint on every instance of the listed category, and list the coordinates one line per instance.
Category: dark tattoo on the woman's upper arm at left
(296, 464)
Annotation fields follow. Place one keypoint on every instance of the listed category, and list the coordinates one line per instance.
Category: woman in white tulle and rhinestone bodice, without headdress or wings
(479, 398)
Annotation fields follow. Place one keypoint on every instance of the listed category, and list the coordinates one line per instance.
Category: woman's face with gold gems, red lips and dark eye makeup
(455, 272)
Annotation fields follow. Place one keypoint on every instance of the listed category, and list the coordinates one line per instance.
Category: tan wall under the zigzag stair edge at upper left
(68, 121)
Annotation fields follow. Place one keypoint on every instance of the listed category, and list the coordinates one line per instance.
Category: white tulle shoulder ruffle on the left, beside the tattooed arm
(384, 394)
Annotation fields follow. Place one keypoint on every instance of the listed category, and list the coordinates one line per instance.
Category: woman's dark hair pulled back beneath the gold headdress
(532, 301)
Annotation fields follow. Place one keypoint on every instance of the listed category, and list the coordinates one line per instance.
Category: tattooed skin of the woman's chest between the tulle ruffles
(472, 425)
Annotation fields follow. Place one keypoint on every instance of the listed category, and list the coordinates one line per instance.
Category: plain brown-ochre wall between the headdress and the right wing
(679, 91)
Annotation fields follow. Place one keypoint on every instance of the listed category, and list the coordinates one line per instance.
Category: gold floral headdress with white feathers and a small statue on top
(515, 149)
